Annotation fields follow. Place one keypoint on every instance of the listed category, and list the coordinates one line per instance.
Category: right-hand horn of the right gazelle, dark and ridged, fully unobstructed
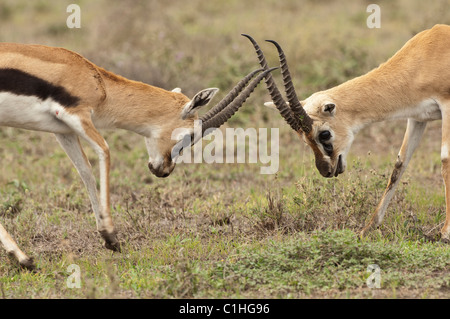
(294, 103)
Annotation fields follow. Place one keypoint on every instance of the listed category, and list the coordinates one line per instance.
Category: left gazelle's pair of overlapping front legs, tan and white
(71, 145)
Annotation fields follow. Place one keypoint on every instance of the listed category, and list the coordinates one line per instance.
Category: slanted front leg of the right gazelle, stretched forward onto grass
(413, 135)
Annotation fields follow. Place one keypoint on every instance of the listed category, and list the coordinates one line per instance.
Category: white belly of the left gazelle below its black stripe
(31, 113)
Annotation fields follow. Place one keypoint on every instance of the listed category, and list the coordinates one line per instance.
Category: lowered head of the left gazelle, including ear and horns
(166, 143)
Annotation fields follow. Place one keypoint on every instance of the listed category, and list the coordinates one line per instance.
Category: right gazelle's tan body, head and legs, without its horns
(413, 84)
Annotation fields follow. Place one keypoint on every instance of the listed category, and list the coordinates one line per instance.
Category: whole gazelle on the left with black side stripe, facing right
(58, 91)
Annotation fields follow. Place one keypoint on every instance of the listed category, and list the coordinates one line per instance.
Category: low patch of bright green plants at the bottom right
(338, 260)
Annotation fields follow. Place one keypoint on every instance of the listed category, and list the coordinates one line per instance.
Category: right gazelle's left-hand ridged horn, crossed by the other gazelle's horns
(275, 94)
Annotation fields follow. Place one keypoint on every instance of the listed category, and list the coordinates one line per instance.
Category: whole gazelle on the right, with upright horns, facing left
(414, 84)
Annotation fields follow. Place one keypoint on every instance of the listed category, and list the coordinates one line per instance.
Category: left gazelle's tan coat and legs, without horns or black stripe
(106, 100)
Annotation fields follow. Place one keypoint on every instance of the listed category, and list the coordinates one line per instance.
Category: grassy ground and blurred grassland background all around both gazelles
(225, 230)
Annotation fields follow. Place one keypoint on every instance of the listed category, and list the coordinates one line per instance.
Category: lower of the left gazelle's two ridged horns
(225, 114)
